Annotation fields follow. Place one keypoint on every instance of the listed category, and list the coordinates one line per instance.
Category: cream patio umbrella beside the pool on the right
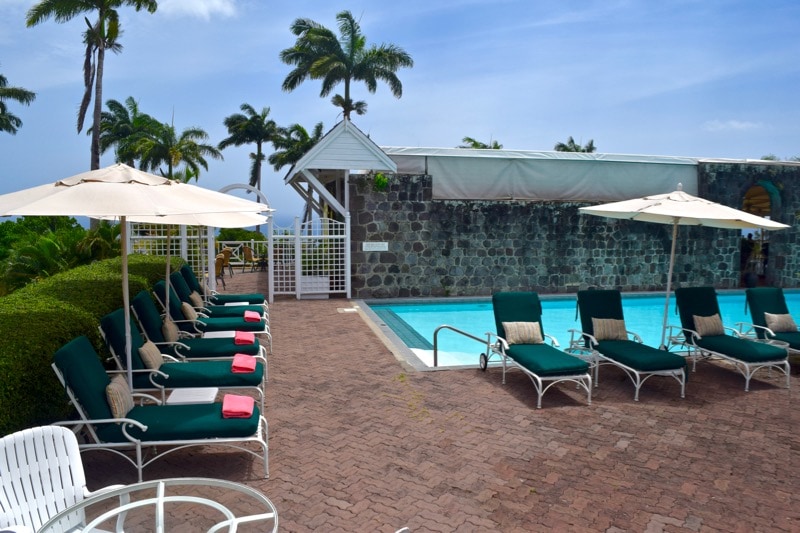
(680, 209)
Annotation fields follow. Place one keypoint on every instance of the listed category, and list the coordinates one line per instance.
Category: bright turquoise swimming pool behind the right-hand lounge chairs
(412, 324)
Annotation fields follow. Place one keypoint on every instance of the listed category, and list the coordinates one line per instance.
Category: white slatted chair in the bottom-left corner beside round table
(42, 476)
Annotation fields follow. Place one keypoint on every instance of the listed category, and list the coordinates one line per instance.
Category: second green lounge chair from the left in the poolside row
(604, 333)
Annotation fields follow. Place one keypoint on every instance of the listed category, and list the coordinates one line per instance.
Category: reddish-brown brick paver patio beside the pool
(358, 442)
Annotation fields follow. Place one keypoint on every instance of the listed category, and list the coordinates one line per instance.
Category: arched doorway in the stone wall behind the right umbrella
(759, 199)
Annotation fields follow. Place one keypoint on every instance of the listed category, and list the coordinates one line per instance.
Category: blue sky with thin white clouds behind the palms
(704, 78)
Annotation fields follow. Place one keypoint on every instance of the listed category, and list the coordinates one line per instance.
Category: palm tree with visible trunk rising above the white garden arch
(250, 127)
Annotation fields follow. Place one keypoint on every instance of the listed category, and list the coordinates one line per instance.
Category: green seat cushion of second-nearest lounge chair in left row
(202, 374)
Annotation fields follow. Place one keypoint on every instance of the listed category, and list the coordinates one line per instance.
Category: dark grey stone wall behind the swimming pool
(475, 248)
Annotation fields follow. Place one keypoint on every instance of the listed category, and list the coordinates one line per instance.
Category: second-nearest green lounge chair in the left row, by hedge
(154, 370)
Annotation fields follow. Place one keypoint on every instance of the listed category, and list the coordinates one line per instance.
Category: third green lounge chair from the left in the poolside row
(704, 335)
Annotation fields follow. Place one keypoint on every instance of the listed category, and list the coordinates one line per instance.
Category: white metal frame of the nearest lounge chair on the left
(139, 461)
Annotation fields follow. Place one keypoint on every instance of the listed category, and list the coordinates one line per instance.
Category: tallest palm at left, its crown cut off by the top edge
(99, 37)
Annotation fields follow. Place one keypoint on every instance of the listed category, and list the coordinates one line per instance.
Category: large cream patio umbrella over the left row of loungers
(121, 191)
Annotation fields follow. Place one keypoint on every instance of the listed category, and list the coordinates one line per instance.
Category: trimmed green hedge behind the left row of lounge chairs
(40, 318)
